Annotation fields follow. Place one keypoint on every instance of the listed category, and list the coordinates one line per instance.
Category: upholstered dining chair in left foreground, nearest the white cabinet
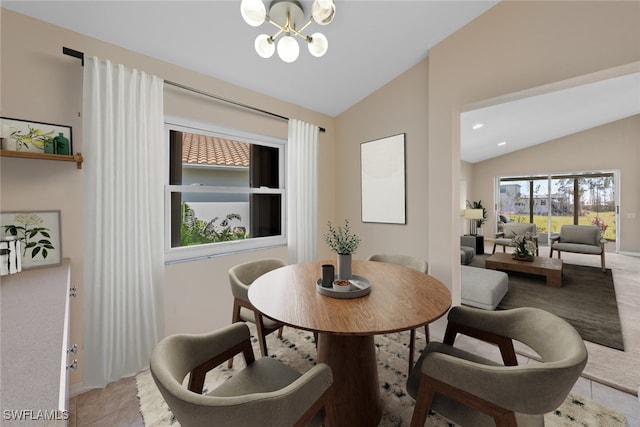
(265, 393)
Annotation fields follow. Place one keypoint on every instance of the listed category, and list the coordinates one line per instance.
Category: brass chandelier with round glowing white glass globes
(288, 17)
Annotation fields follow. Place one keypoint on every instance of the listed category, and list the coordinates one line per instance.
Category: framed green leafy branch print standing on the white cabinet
(39, 233)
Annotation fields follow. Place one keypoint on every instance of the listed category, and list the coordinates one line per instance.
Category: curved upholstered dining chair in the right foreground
(471, 390)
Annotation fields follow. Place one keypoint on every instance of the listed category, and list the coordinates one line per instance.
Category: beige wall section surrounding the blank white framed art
(398, 107)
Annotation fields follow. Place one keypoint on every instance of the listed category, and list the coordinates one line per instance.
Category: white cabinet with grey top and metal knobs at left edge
(34, 342)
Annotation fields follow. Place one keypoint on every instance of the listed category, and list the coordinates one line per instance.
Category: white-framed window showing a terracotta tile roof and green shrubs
(225, 191)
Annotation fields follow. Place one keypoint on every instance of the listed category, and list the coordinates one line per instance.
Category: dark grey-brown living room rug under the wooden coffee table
(587, 300)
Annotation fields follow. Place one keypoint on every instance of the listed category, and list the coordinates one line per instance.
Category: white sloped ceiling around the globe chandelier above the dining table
(370, 42)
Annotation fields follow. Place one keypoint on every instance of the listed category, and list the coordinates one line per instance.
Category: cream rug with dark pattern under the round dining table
(297, 349)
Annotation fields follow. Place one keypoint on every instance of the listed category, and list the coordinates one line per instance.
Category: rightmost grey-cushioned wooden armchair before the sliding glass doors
(582, 239)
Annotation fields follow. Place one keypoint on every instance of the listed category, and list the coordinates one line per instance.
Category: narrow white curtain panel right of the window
(302, 191)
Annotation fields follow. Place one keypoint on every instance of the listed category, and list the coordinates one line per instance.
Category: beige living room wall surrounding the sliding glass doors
(614, 146)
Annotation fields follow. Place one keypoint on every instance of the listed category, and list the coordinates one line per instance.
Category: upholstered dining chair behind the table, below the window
(241, 277)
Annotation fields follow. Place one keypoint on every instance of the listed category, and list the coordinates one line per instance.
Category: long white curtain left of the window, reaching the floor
(123, 145)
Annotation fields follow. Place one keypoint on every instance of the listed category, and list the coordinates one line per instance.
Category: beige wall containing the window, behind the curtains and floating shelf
(38, 82)
